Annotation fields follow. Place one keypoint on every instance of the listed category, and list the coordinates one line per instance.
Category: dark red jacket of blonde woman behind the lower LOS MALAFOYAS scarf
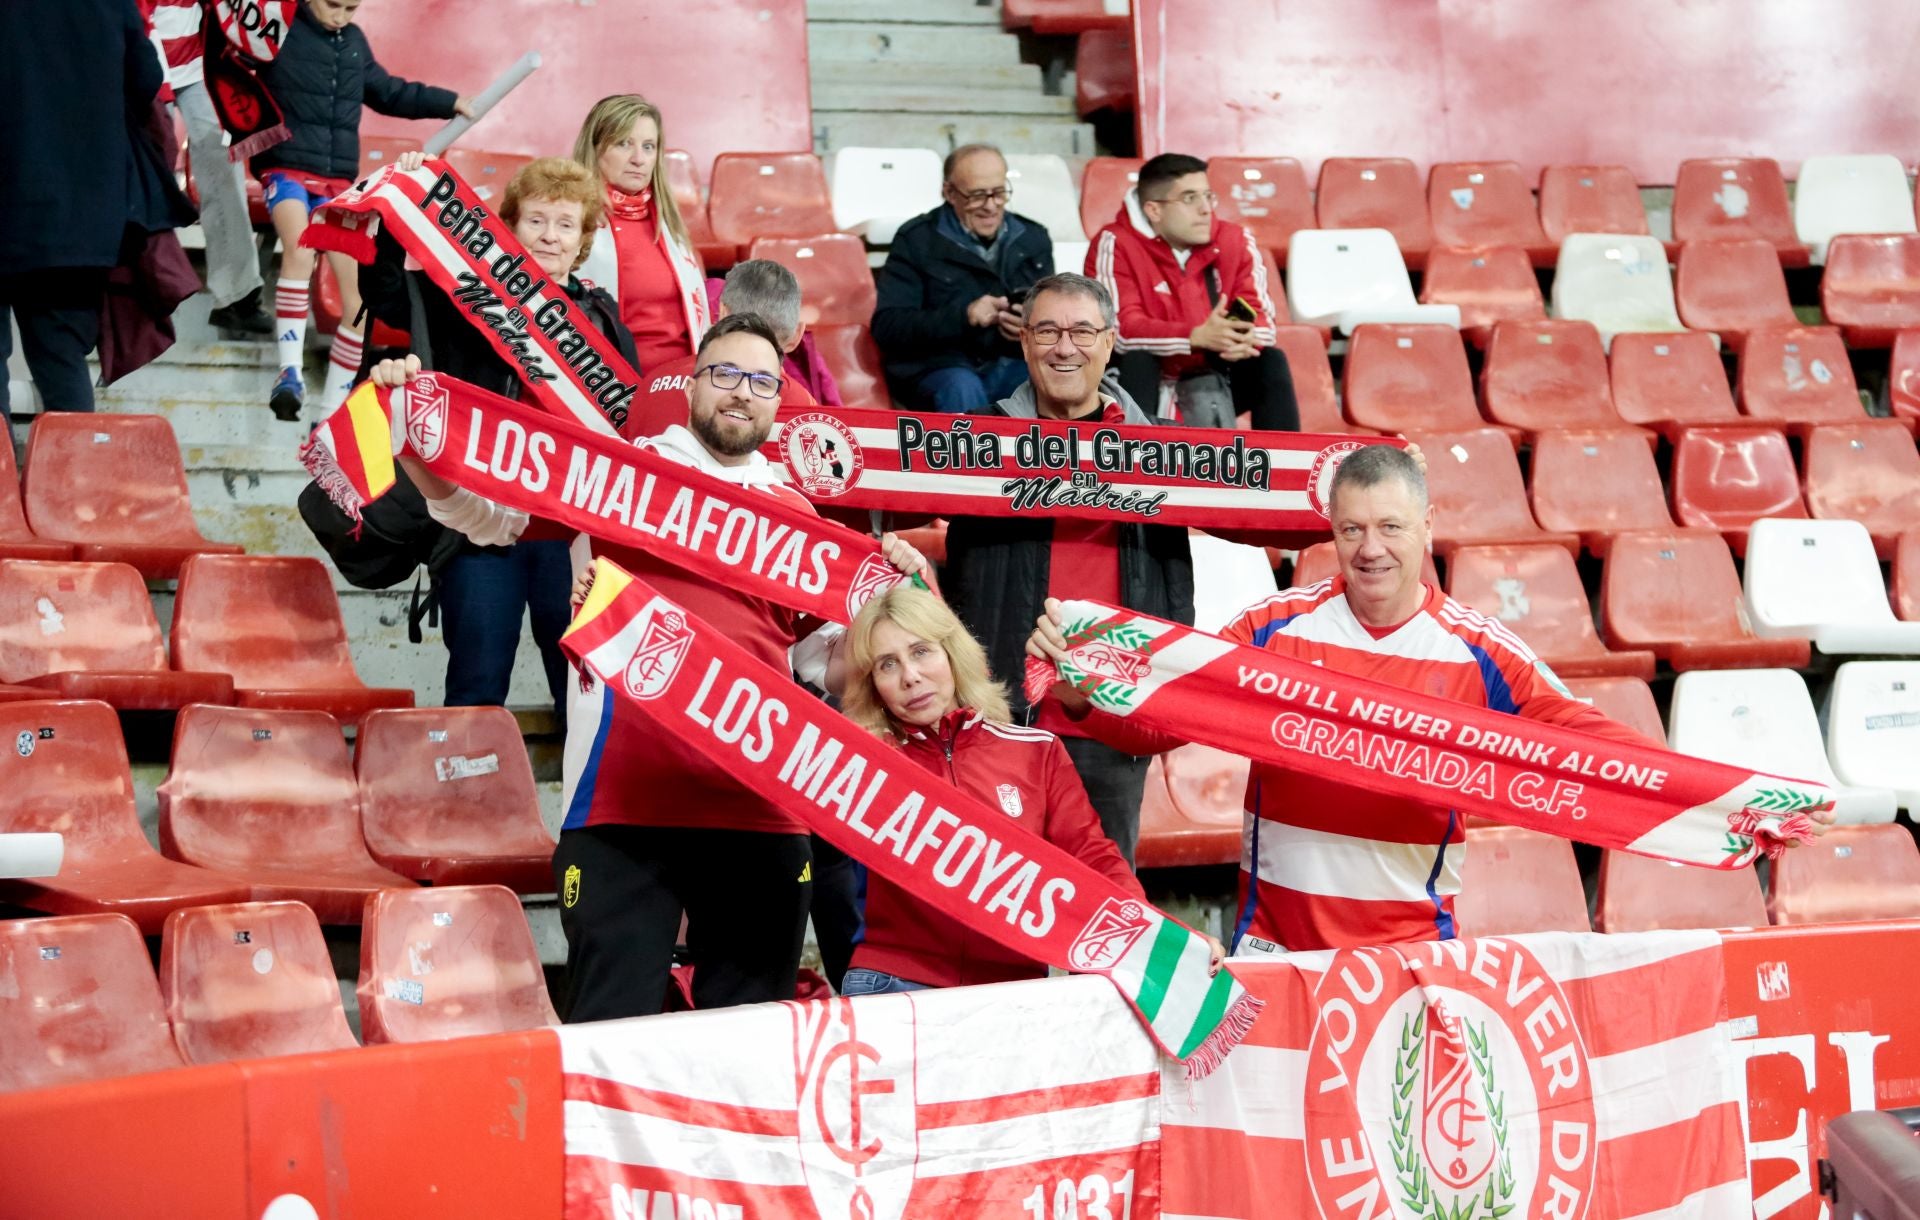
(1026, 775)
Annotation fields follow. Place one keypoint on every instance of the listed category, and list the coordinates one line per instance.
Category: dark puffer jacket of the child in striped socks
(322, 80)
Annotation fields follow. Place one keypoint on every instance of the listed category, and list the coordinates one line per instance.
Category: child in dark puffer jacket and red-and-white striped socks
(322, 78)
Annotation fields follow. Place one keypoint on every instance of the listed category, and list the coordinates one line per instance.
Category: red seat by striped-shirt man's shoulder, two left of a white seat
(1537, 593)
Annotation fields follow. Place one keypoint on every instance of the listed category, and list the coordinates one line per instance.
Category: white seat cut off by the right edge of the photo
(1873, 727)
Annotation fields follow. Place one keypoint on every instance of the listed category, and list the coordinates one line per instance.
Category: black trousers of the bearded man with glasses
(625, 889)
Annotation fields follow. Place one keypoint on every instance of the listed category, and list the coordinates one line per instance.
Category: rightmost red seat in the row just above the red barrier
(1852, 873)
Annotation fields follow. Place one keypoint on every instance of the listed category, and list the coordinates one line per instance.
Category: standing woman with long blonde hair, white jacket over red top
(644, 258)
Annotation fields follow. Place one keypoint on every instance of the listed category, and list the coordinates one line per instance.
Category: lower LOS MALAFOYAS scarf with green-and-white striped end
(948, 848)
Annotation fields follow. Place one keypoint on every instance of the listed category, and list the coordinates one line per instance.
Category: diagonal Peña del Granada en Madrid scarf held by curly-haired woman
(471, 255)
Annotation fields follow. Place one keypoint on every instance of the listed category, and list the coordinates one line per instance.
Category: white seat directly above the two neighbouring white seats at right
(1819, 581)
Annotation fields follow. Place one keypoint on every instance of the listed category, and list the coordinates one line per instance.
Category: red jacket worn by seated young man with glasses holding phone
(1159, 301)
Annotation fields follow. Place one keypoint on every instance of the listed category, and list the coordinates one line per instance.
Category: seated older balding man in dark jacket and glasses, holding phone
(951, 293)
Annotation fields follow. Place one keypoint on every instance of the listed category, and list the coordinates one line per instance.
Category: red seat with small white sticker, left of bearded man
(448, 798)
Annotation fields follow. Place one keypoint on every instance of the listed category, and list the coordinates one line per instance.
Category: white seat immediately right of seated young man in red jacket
(1349, 278)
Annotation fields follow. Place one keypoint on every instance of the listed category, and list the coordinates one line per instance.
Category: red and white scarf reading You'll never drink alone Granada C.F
(1422, 748)
